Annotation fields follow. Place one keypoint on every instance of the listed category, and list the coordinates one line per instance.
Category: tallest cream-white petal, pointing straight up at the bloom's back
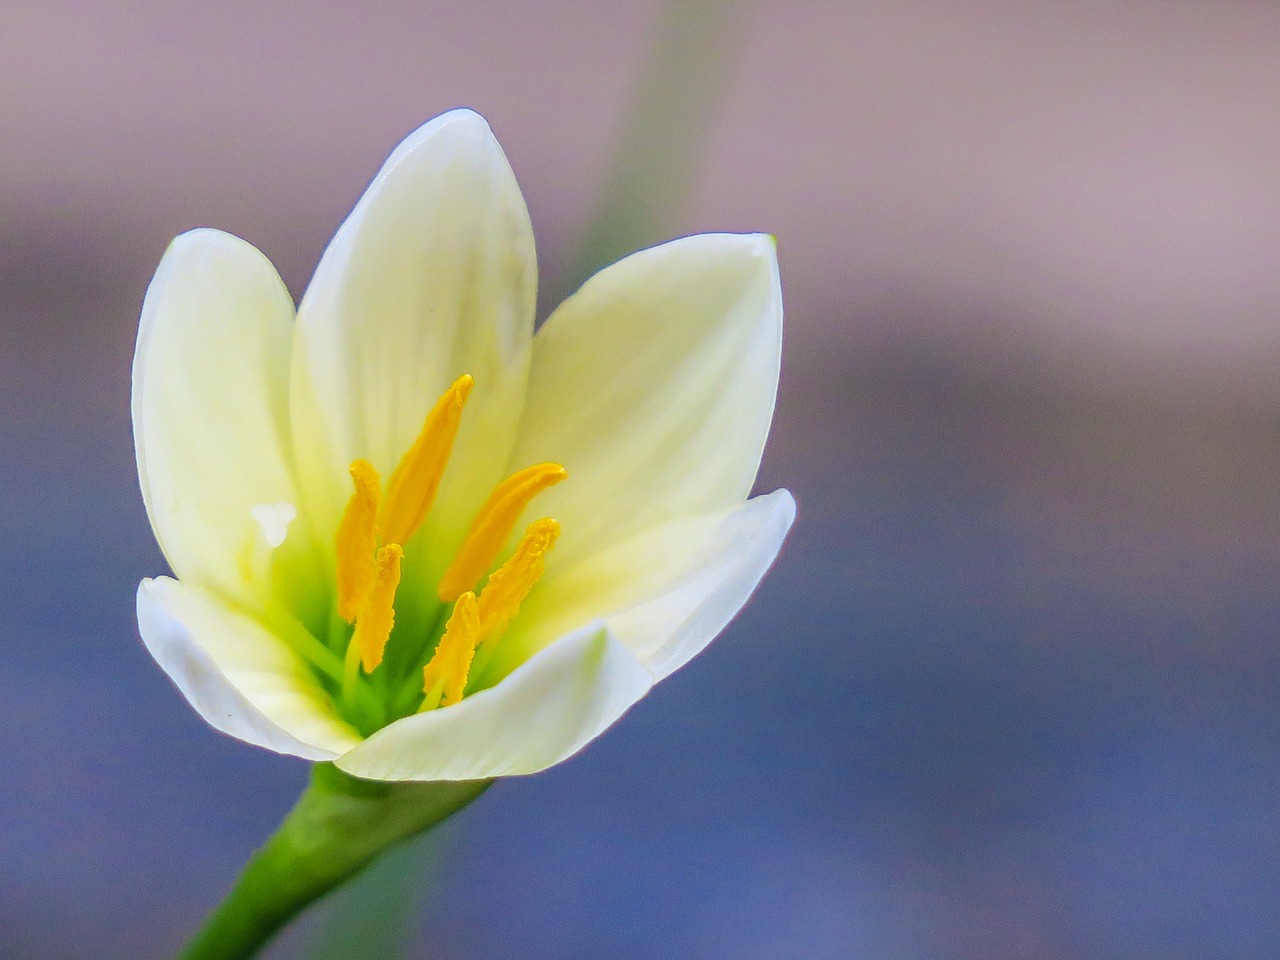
(433, 276)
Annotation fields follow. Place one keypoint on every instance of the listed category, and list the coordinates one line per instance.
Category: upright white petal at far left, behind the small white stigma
(211, 404)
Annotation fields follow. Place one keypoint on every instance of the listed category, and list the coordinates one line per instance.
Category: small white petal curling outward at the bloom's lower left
(243, 679)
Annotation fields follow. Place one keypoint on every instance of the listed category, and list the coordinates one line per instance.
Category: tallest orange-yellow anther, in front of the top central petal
(417, 478)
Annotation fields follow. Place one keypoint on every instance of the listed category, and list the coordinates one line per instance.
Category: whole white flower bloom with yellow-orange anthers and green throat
(415, 538)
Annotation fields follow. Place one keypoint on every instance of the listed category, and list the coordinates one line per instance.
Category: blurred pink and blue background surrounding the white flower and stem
(1012, 688)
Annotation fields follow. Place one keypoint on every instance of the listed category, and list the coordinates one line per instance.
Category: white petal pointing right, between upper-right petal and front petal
(665, 593)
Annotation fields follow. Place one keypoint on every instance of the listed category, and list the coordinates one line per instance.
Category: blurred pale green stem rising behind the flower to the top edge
(665, 135)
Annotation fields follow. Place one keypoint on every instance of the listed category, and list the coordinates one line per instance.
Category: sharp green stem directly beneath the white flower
(339, 826)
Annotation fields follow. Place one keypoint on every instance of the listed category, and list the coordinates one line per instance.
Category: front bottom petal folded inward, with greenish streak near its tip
(542, 714)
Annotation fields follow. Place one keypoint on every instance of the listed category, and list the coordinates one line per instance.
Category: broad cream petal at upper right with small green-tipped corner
(655, 386)
